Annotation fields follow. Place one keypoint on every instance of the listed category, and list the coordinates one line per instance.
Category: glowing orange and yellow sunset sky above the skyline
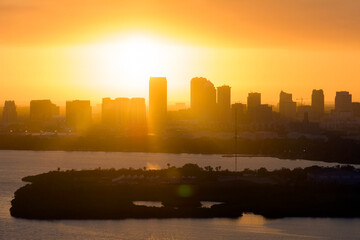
(74, 49)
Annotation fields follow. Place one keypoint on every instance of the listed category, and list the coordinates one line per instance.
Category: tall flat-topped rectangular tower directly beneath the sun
(157, 104)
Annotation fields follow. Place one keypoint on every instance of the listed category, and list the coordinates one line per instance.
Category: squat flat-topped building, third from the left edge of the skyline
(78, 114)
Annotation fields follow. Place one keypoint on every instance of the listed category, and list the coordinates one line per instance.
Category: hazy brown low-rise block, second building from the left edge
(42, 111)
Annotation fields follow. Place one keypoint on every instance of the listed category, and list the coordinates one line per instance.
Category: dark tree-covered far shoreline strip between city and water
(335, 149)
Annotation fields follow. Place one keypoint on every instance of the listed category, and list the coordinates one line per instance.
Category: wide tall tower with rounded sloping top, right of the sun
(203, 99)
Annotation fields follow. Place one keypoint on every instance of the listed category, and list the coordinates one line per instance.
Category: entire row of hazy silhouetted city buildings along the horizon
(209, 104)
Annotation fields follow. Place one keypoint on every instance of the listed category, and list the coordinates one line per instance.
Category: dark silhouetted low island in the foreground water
(112, 194)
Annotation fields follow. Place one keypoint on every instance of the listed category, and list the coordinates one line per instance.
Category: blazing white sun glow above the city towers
(128, 62)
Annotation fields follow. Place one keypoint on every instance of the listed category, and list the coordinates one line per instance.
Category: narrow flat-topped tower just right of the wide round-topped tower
(224, 102)
